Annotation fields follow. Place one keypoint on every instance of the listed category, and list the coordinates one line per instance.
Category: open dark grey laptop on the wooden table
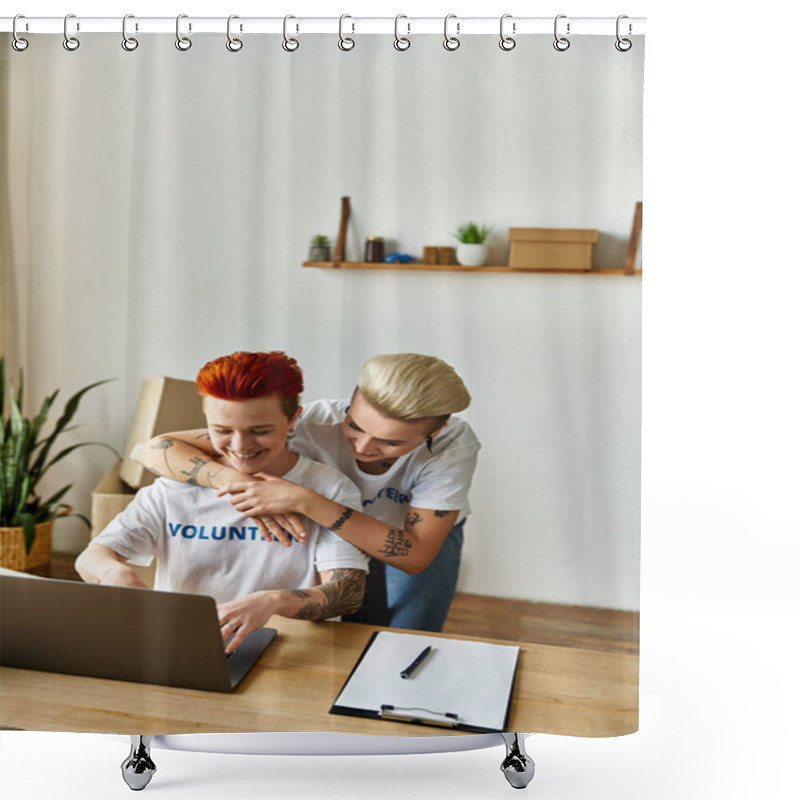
(124, 634)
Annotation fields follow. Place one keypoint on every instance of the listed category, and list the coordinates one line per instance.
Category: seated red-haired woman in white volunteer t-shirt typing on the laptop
(204, 545)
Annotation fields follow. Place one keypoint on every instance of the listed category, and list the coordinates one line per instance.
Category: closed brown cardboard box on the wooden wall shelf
(551, 248)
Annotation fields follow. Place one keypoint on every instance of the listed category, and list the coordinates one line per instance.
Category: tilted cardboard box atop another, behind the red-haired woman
(164, 405)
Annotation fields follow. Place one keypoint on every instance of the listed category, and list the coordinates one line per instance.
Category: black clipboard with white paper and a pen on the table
(464, 685)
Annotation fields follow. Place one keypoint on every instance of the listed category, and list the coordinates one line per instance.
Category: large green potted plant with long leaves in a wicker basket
(26, 454)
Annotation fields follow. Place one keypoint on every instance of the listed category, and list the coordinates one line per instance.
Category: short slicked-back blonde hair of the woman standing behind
(410, 386)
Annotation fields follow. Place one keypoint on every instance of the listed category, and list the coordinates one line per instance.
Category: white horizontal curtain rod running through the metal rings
(405, 26)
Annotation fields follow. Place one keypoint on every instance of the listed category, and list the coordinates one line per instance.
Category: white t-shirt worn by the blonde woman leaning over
(437, 480)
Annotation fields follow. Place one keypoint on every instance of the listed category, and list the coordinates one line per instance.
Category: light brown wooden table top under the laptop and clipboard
(559, 690)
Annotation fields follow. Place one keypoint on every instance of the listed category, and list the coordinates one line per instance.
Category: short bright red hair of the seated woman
(242, 376)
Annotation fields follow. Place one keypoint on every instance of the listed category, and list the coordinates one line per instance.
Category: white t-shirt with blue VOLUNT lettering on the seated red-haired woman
(205, 546)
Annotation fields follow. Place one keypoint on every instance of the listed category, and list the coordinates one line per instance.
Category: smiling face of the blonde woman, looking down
(374, 437)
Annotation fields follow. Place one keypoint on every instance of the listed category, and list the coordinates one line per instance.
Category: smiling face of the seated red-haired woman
(251, 434)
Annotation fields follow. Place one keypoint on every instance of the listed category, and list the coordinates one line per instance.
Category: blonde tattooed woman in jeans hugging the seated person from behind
(412, 461)
